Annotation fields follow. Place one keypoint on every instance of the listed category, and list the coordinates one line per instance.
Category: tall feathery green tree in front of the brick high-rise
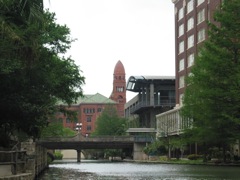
(212, 97)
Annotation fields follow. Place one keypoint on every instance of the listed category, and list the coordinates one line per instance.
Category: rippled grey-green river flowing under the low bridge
(104, 170)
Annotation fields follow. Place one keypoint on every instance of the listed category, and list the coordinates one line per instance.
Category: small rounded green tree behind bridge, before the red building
(109, 123)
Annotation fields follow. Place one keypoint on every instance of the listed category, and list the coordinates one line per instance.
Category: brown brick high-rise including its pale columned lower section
(191, 30)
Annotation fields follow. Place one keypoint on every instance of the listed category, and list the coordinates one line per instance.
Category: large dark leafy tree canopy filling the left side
(34, 74)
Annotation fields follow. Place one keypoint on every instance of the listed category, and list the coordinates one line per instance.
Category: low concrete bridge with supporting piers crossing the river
(79, 142)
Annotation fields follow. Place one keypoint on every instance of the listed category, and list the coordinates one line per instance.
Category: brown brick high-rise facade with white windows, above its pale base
(191, 17)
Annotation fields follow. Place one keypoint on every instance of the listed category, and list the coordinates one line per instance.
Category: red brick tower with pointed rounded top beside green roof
(119, 88)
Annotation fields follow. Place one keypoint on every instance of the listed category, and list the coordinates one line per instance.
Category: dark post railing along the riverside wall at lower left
(13, 158)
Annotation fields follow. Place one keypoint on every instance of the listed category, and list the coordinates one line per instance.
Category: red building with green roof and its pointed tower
(89, 107)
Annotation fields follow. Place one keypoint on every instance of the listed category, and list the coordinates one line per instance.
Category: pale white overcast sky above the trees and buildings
(140, 33)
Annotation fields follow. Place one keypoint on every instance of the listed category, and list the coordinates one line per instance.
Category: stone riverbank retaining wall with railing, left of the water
(25, 164)
